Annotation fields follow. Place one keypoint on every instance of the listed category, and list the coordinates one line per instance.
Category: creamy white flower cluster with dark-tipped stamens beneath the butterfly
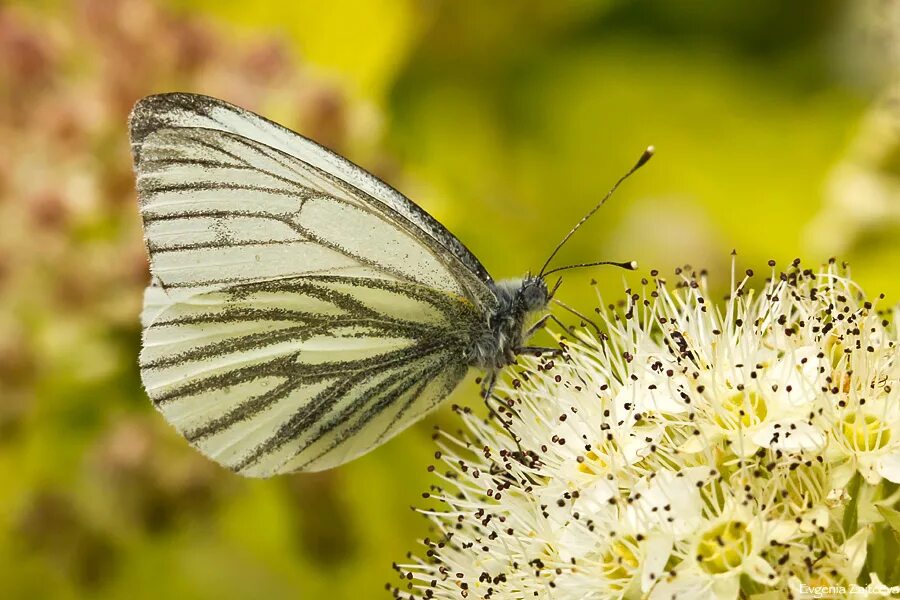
(678, 449)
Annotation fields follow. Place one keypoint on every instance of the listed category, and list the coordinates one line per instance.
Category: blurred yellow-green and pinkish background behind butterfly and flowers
(777, 132)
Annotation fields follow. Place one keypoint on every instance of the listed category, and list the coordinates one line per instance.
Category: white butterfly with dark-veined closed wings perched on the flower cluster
(302, 312)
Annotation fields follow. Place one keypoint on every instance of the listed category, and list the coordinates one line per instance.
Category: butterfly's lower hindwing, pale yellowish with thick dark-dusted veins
(303, 373)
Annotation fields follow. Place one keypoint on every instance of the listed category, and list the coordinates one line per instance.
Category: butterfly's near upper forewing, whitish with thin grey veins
(220, 209)
